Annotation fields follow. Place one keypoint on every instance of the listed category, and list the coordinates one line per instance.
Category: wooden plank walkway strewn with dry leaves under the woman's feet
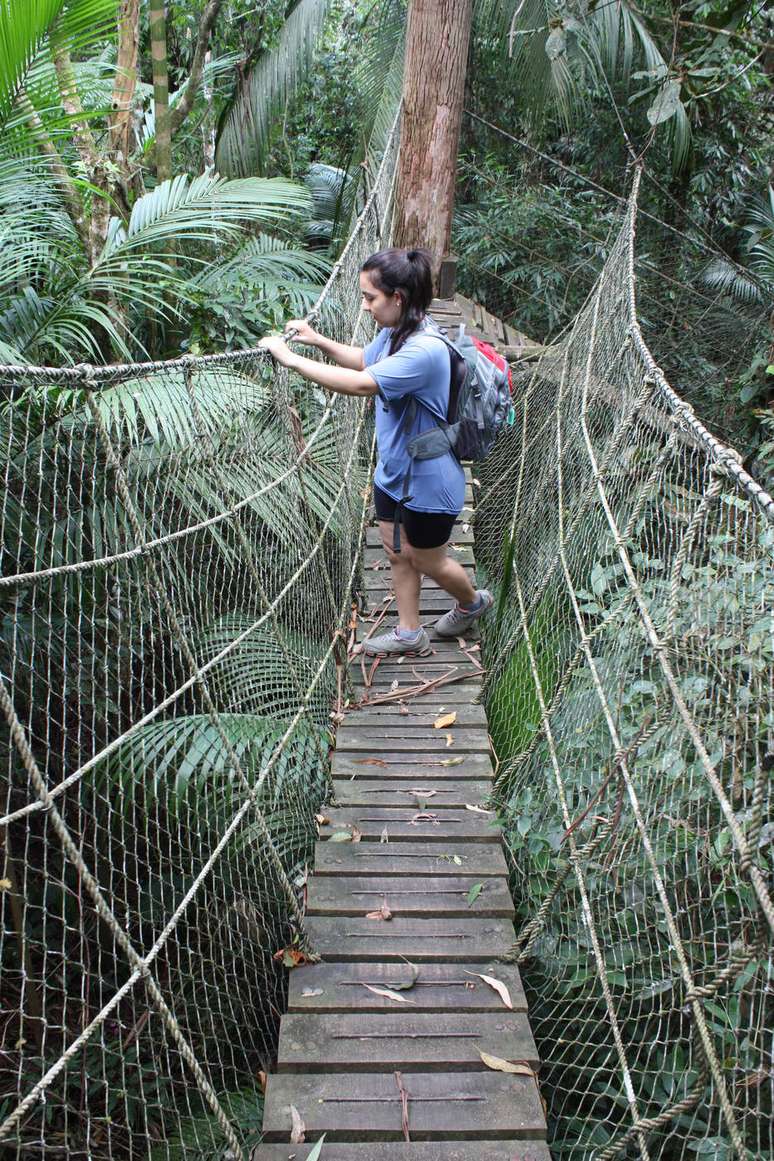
(410, 884)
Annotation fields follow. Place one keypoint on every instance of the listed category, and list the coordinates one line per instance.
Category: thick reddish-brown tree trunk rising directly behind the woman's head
(437, 57)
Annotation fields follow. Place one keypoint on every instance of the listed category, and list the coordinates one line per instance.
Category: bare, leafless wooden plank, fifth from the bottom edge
(454, 940)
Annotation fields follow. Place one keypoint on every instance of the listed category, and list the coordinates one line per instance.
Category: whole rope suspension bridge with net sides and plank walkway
(204, 785)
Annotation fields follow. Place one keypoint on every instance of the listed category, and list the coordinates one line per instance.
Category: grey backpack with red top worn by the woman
(481, 388)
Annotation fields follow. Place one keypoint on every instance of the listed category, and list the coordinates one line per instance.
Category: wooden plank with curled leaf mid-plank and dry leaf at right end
(438, 987)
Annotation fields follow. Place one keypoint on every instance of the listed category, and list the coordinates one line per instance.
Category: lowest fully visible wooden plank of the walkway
(368, 1107)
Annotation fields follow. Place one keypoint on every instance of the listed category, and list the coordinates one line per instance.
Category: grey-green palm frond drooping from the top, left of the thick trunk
(244, 138)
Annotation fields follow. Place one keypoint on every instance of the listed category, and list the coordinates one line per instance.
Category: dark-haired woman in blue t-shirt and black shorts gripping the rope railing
(406, 360)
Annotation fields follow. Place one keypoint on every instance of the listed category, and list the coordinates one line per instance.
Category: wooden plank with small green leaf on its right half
(424, 896)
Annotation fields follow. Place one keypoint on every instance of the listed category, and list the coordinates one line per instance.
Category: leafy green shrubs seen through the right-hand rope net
(722, 617)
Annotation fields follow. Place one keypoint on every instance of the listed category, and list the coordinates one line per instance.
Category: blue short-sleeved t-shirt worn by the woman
(422, 370)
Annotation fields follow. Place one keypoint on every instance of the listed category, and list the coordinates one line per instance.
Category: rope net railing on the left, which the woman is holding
(180, 549)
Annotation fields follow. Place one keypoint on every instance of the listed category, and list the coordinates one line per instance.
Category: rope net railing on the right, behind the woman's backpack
(630, 694)
